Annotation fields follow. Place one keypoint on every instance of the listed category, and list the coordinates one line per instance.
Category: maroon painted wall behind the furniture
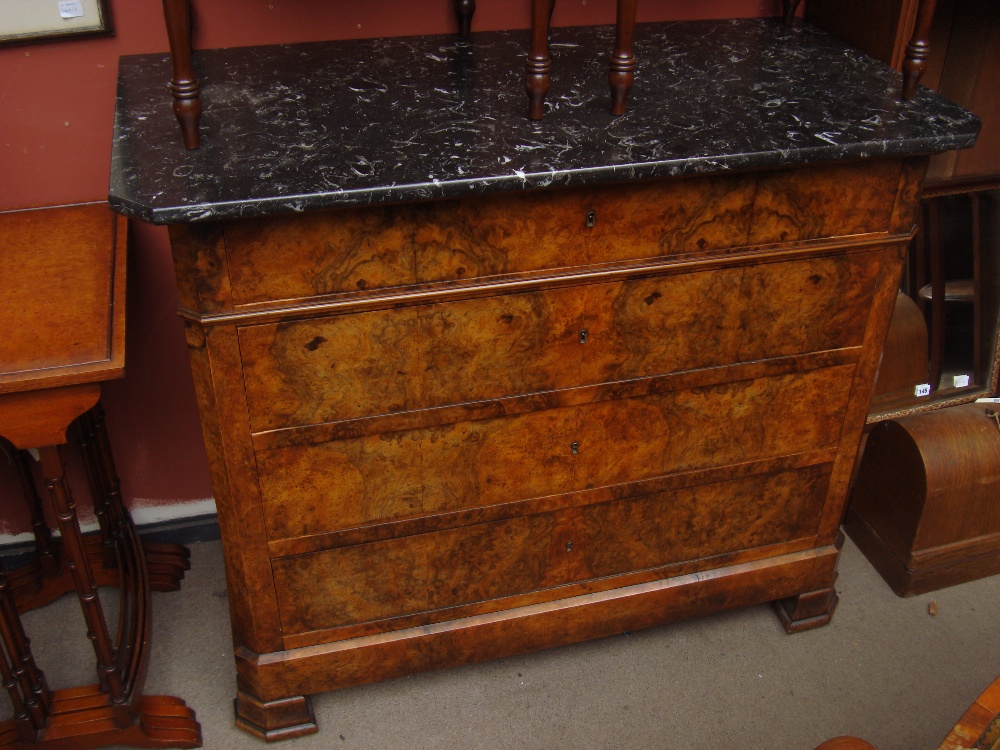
(56, 113)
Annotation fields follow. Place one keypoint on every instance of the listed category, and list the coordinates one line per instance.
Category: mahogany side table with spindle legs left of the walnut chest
(62, 304)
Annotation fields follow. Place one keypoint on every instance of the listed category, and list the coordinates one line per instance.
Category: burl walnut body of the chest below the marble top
(448, 431)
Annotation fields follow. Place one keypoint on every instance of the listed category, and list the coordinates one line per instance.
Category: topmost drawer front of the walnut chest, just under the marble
(354, 250)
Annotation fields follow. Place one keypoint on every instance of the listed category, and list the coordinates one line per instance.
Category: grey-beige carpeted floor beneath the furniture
(884, 669)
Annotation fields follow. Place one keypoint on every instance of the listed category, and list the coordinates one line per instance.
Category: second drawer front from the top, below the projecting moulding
(389, 361)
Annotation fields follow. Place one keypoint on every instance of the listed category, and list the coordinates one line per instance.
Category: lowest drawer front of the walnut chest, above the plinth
(469, 565)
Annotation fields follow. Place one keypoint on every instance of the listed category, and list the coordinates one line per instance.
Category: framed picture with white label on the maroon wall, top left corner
(26, 21)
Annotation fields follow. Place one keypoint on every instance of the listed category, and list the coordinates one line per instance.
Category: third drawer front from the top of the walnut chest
(336, 485)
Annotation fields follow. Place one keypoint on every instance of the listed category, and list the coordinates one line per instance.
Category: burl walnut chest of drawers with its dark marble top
(579, 378)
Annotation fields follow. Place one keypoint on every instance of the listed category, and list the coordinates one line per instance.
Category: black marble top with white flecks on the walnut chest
(317, 125)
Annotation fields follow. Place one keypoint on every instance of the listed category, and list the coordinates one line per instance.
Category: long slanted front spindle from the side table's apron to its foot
(108, 672)
